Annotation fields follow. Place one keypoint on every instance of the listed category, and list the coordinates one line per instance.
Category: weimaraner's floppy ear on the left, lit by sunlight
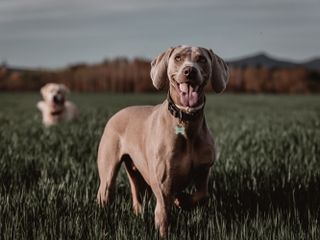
(158, 71)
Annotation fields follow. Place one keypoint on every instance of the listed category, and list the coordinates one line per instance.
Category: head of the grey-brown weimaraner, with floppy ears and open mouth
(187, 70)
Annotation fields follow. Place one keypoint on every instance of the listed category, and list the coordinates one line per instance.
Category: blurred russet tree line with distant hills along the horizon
(252, 74)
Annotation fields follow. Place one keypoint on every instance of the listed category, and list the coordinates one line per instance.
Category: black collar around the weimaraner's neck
(180, 114)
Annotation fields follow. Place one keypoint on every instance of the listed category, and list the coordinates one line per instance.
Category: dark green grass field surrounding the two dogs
(264, 185)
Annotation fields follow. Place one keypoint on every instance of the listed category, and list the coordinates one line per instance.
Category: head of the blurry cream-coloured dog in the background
(54, 94)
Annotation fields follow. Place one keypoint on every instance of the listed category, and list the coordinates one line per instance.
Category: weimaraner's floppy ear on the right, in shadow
(220, 73)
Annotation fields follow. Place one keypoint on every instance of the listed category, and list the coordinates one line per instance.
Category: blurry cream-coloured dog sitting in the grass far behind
(55, 108)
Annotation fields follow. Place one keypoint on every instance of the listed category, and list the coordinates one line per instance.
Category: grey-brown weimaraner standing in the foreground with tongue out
(168, 146)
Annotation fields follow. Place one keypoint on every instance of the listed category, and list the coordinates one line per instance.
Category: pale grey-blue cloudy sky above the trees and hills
(56, 33)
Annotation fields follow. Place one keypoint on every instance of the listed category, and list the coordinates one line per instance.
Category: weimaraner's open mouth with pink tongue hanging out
(189, 94)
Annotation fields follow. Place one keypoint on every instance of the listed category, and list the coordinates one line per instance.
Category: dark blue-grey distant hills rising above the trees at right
(265, 60)
